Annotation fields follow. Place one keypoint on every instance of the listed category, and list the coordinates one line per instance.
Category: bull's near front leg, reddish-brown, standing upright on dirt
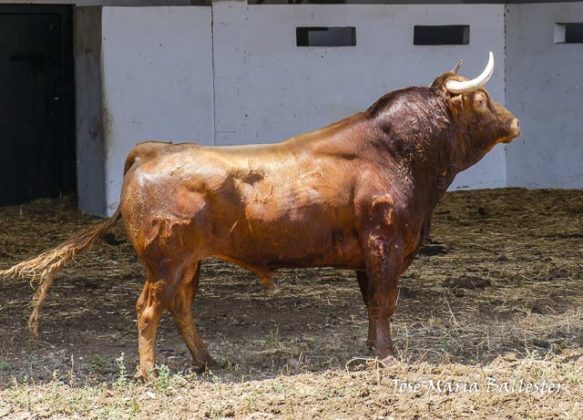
(384, 260)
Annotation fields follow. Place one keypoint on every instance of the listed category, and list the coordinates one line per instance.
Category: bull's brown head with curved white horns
(483, 121)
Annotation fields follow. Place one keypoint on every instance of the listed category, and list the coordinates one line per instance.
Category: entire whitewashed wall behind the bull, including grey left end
(165, 72)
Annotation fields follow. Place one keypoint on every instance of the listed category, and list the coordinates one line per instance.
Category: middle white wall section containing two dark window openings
(268, 89)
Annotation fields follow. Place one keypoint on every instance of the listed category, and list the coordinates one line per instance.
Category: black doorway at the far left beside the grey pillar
(37, 136)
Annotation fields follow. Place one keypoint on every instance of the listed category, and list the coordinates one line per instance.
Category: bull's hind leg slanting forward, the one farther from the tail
(181, 309)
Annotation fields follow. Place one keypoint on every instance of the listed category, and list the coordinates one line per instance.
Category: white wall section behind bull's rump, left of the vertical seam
(157, 81)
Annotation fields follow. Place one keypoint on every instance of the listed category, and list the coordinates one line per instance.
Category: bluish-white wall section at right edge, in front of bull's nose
(544, 87)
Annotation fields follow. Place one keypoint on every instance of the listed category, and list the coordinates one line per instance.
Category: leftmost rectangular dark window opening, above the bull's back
(326, 36)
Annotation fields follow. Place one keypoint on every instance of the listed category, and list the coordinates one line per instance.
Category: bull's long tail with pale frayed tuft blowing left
(44, 268)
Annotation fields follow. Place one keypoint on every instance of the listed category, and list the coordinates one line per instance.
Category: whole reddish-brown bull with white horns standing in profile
(356, 194)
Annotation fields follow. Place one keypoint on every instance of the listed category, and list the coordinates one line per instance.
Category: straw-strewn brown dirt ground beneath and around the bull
(489, 324)
